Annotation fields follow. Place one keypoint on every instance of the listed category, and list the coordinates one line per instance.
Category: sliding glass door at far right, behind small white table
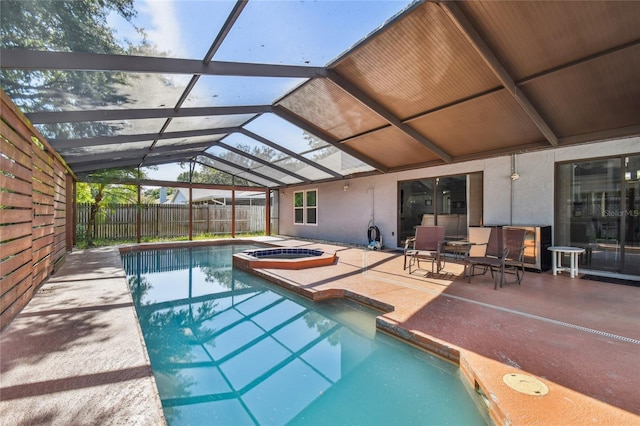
(598, 208)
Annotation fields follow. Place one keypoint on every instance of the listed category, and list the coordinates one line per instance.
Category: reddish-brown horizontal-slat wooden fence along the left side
(33, 219)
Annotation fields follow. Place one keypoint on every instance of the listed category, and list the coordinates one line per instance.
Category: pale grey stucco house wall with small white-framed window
(345, 215)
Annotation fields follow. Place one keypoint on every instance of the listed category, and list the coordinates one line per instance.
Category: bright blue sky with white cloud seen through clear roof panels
(312, 33)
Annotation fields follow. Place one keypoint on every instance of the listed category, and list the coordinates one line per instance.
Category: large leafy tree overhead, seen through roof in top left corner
(76, 26)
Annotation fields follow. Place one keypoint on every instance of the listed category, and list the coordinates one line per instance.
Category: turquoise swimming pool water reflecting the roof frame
(228, 348)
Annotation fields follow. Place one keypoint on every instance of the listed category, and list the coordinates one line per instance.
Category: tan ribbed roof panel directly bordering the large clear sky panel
(419, 63)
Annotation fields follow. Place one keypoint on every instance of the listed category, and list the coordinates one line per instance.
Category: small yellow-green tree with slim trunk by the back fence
(102, 192)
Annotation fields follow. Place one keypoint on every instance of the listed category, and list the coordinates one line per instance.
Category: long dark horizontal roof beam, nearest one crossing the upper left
(83, 61)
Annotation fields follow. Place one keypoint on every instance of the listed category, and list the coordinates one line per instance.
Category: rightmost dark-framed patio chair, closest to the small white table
(504, 255)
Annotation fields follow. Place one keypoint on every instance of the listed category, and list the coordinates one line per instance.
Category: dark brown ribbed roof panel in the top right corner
(533, 36)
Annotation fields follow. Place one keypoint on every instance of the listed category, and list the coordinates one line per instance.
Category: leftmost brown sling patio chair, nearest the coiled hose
(426, 245)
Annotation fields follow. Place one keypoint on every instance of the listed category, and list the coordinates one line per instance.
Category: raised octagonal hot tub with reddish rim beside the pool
(283, 258)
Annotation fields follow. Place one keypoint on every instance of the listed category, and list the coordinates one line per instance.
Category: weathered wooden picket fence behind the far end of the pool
(119, 222)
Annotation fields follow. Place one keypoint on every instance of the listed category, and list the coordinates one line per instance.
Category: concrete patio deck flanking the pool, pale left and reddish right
(75, 354)
